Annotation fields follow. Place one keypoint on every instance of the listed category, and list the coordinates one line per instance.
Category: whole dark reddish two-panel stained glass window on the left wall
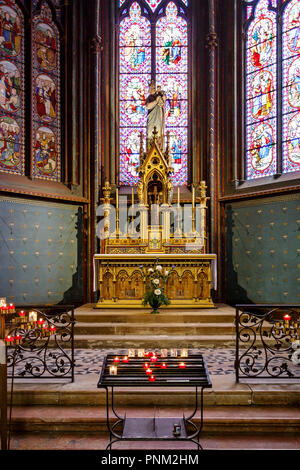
(40, 80)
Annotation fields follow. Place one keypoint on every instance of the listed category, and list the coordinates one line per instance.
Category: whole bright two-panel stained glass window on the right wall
(272, 91)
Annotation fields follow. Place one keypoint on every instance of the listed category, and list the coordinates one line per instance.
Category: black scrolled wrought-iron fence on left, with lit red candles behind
(40, 343)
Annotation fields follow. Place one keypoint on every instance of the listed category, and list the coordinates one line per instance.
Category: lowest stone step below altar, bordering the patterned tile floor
(113, 341)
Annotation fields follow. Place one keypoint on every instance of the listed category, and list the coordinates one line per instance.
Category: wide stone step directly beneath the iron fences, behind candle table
(224, 391)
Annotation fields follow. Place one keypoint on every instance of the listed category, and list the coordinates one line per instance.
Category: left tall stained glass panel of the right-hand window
(261, 86)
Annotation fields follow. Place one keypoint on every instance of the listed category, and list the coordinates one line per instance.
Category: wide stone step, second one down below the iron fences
(224, 420)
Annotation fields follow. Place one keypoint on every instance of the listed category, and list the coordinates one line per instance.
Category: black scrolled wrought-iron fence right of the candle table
(267, 342)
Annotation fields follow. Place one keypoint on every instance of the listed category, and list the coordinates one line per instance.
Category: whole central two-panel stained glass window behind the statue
(153, 45)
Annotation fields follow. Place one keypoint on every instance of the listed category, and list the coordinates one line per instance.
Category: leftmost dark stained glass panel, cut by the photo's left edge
(12, 159)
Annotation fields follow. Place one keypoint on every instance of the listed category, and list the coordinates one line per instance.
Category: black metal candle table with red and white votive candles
(192, 373)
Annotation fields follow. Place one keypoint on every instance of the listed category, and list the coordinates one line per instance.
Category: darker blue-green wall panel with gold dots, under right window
(263, 251)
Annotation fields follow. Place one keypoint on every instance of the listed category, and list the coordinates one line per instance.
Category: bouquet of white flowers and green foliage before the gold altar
(156, 278)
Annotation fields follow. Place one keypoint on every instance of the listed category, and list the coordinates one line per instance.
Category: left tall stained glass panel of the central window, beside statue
(134, 79)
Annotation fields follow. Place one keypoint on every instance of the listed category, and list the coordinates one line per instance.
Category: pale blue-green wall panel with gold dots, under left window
(40, 252)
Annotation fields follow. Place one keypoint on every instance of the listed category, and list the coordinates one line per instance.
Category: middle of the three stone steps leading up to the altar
(156, 328)
